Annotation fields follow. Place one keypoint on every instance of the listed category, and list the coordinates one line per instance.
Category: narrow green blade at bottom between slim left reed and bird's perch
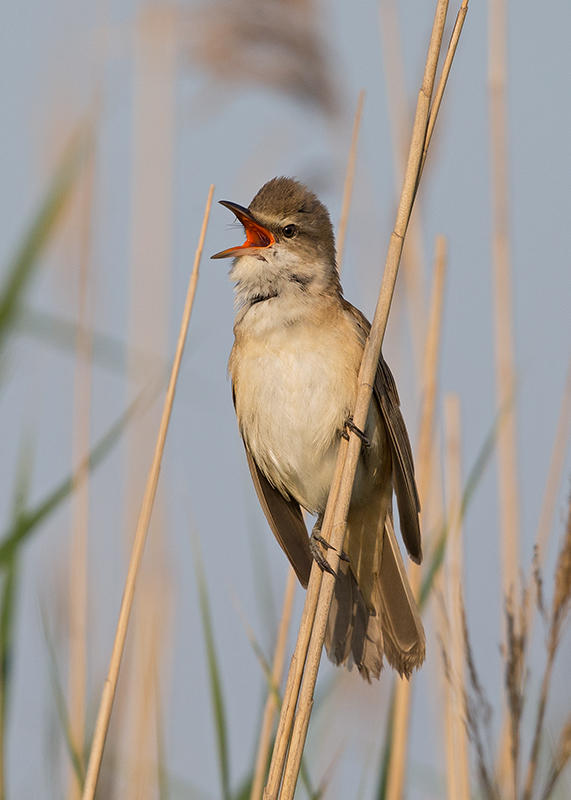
(214, 675)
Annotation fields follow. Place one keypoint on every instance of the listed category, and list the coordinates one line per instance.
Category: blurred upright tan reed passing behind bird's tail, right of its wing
(395, 781)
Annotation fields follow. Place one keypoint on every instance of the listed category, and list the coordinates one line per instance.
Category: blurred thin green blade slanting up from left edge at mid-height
(29, 521)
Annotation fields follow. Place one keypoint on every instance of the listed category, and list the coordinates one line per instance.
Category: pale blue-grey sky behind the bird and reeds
(51, 56)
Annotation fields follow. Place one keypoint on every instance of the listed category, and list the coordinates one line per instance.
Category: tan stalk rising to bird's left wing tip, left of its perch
(271, 702)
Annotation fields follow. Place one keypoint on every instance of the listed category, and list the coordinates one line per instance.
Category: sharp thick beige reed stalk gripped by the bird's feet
(335, 518)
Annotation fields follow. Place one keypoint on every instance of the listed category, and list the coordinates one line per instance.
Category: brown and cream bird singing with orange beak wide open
(294, 366)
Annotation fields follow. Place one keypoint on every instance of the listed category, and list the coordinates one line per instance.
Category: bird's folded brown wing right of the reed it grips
(386, 395)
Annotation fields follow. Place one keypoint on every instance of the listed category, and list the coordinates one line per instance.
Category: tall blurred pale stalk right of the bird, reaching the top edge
(502, 302)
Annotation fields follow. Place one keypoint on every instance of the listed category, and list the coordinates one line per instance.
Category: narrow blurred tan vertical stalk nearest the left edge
(78, 572)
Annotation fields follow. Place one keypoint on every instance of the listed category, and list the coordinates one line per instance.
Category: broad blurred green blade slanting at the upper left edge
(25, 259)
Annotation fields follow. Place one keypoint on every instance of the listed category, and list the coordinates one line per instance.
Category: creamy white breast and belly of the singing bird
(294, 387)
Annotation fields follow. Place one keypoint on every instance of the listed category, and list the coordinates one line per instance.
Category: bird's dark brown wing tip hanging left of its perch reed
(286, 522)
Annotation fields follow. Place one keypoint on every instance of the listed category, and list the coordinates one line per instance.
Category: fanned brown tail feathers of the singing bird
(373, 611)
